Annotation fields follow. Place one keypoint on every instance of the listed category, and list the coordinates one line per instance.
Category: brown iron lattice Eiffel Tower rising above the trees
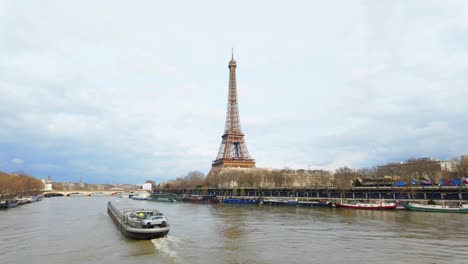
(233, 151)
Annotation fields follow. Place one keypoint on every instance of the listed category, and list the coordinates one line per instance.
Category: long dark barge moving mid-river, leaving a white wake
(139, 223)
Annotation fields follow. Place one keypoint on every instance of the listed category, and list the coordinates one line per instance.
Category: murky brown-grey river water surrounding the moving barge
(78, 230)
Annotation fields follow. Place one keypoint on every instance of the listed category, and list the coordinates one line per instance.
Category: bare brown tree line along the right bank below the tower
(343, 177)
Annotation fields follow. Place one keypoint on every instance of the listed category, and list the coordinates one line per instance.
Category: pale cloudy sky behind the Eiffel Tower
(128, 91)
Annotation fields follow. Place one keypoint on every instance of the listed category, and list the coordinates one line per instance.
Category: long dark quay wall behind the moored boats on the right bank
(458, 193)
